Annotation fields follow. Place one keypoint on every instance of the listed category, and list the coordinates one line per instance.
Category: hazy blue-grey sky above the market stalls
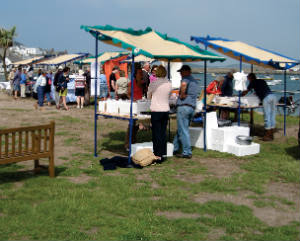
(271, 24)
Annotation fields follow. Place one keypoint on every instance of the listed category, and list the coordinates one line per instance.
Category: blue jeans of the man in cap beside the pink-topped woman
(184, 117)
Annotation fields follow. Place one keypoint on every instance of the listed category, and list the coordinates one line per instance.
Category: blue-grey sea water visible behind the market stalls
(292, 86)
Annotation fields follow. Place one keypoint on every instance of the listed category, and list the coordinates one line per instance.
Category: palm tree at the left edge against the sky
(6, 41)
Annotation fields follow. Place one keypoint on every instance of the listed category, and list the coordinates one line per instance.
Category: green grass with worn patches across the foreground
(122, 205)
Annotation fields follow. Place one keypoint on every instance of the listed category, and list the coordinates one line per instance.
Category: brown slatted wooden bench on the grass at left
(28, 143)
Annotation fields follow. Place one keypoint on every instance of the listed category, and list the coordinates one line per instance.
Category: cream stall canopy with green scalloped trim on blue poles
(151, 44)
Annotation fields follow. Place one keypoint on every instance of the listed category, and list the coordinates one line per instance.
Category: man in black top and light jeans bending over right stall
(269, 101)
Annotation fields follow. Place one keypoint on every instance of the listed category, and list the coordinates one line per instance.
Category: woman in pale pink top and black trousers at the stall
(159, 92)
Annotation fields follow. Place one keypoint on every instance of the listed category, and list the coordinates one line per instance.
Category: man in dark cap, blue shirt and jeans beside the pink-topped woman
(186, 104)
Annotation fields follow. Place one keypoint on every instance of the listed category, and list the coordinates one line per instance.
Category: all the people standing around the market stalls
(151, 83)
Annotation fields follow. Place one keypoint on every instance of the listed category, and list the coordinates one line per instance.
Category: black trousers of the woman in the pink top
(159, 121)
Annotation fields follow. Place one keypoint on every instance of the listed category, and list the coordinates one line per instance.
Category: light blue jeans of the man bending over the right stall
(269, 104)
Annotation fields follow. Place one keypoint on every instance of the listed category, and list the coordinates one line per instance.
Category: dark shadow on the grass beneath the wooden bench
(15, 176)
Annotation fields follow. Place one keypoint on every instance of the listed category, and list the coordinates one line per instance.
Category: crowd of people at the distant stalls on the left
(39, 85)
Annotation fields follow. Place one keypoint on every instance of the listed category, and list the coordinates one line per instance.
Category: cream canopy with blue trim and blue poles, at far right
(250, 54)
